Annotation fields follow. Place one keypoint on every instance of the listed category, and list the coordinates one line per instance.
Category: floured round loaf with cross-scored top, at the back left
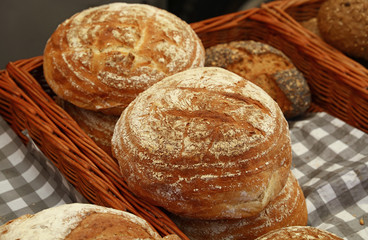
(101, 58)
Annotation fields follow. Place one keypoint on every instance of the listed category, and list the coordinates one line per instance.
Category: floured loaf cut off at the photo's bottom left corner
(79, 221)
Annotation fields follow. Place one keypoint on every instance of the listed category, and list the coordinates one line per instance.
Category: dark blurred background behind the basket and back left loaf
(25, 25)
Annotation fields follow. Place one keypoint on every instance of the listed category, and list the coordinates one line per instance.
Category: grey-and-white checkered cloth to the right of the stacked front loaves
(330, 161)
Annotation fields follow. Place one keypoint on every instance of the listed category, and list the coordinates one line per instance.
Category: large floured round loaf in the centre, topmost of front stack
(204, 143)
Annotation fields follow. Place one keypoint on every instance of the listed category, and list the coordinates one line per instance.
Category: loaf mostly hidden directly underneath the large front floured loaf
(287, 209)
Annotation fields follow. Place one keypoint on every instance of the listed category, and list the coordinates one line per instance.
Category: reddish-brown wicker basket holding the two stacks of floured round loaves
(26, 102)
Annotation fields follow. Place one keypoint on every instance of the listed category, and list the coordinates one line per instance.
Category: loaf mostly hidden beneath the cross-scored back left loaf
(98, 126)
